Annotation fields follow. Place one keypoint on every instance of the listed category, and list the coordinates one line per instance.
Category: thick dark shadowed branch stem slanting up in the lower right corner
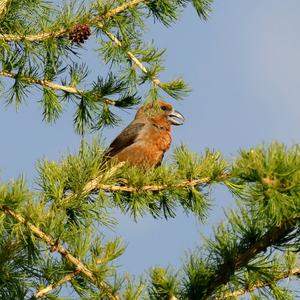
(273, 236)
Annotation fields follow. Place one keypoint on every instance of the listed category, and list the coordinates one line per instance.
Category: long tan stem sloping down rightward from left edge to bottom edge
(55, 246)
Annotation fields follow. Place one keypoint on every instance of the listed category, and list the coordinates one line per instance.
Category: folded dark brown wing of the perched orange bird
(125, 138)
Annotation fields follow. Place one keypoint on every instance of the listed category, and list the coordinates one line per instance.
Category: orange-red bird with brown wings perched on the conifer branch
(145, 140)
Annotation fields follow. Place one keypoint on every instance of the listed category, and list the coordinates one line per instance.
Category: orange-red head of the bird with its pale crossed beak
(160, 112)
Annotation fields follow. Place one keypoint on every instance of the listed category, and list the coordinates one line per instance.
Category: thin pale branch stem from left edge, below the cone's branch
(52, 85)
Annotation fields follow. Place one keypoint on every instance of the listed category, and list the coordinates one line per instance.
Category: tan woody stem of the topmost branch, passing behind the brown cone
(42, 36)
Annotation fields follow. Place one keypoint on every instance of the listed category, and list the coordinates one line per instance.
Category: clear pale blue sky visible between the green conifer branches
(244, 69)
